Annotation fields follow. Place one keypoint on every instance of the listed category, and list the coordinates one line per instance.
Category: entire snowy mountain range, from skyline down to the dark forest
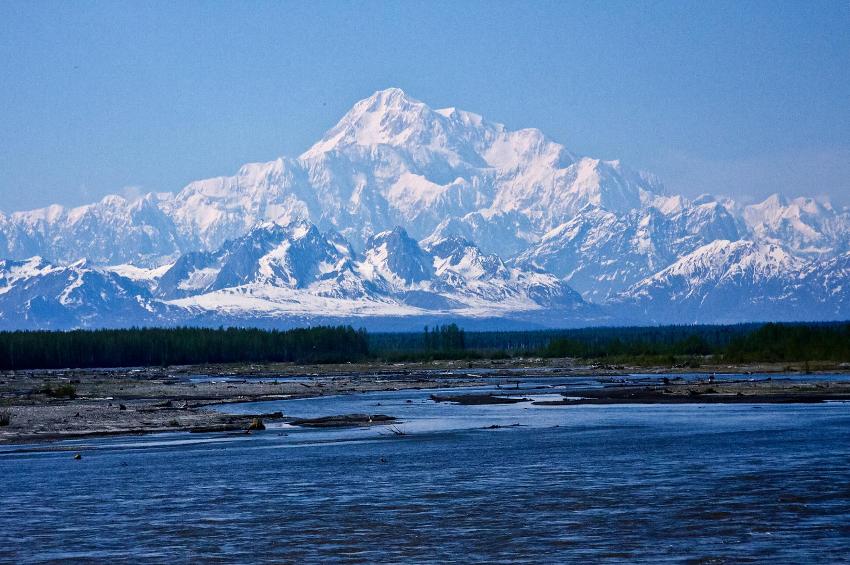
(402, 214)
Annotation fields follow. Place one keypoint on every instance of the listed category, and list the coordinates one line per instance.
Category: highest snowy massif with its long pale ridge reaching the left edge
(389, 161)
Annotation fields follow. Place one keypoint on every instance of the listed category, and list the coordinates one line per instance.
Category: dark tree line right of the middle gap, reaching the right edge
(735, 343)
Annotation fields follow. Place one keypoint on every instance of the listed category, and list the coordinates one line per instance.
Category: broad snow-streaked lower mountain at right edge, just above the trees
(742, 281)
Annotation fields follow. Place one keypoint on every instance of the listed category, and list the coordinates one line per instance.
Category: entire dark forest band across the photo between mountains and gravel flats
(810, 346)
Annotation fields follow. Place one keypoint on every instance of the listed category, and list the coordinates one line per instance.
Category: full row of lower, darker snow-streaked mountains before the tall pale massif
(277, 274)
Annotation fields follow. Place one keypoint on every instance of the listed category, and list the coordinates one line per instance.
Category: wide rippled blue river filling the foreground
(654, 483)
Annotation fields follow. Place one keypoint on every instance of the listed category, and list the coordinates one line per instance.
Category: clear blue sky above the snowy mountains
(741, 98)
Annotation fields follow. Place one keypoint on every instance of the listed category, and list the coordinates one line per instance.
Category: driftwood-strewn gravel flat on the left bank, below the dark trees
(55, 405)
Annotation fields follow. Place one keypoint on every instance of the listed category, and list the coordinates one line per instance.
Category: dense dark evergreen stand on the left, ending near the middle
(178, 346)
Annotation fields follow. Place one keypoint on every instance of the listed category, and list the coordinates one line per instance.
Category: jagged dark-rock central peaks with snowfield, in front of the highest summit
(297, 271)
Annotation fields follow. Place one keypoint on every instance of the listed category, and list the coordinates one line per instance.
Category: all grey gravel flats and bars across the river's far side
(53, 405)
